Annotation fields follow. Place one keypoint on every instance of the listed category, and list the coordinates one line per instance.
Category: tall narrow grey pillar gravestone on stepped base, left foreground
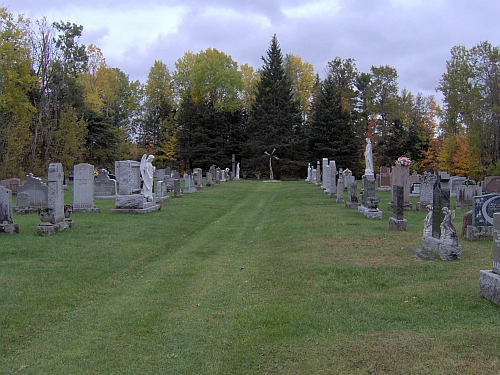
(53, 215)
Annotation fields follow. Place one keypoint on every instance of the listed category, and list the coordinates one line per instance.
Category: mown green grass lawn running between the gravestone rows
(244, 277)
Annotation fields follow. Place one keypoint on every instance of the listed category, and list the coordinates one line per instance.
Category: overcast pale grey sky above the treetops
(413, 36)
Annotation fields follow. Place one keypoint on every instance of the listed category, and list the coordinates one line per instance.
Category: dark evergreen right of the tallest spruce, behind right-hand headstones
(332, 131)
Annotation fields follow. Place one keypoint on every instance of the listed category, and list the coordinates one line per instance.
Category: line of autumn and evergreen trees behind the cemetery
(61, 102)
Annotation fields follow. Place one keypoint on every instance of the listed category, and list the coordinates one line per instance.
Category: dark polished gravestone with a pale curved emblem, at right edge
(484, 208)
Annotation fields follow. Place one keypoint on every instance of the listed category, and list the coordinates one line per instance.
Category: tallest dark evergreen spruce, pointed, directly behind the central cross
(274, 121)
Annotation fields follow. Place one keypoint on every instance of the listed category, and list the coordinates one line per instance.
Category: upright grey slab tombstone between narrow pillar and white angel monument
(83, 188)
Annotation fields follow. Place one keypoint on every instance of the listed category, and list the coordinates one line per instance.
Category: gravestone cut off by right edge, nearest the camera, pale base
(489, 280)
